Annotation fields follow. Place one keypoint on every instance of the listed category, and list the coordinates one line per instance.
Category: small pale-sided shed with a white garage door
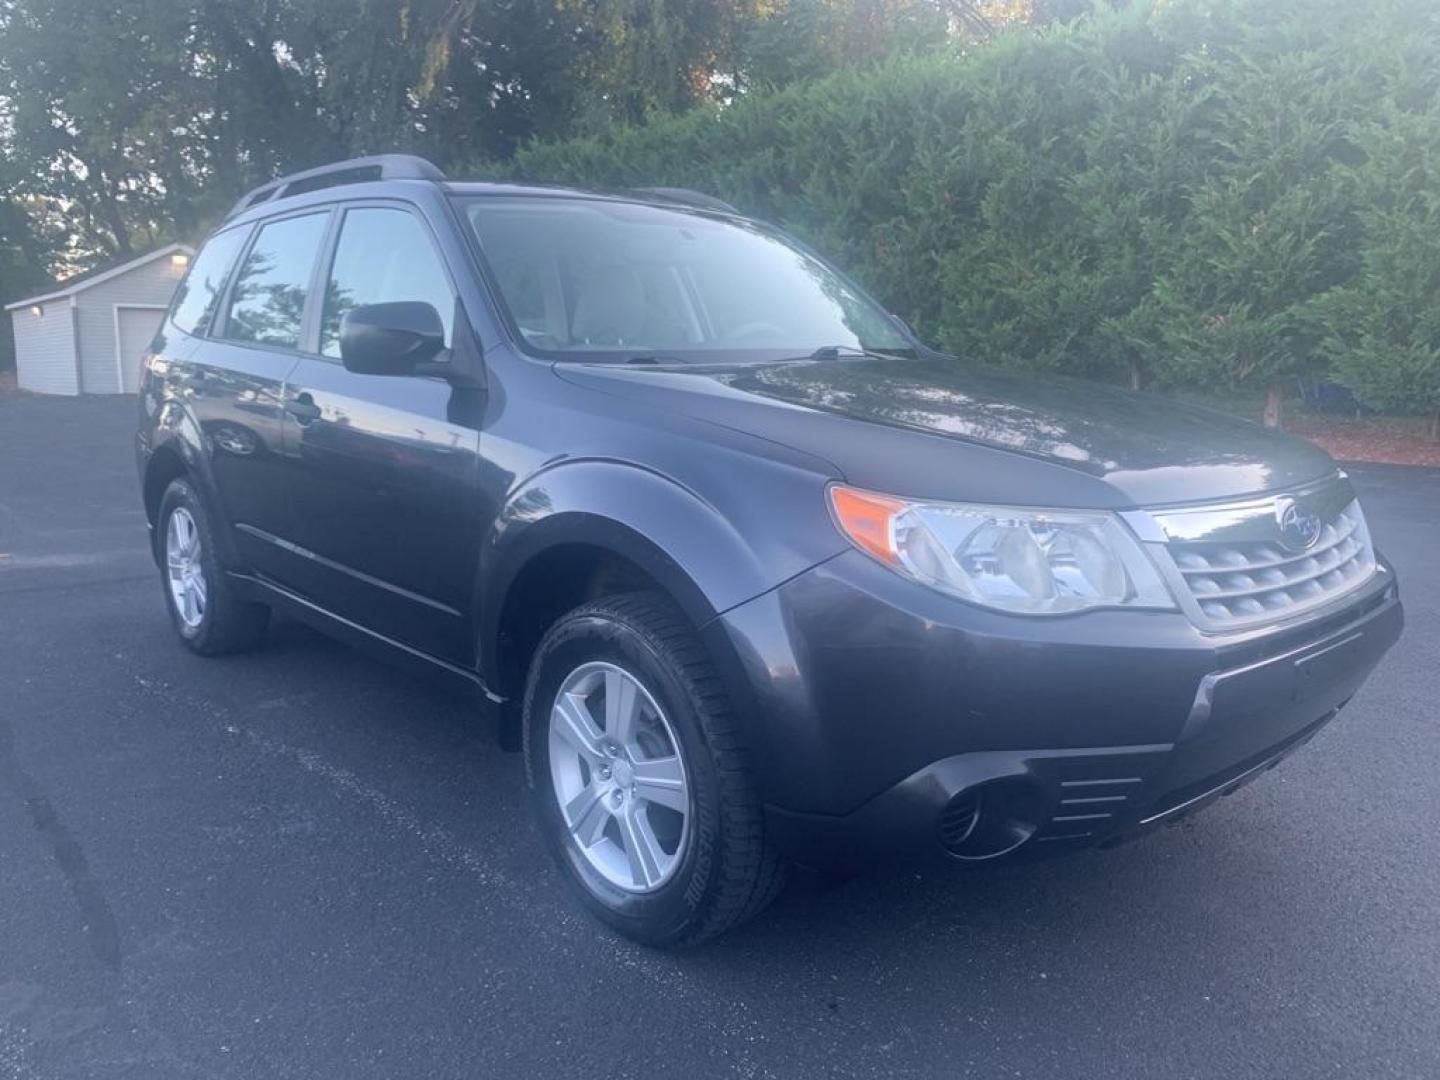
(89, 333)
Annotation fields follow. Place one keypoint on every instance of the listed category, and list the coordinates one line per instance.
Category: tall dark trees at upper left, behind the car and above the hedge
(142, 122)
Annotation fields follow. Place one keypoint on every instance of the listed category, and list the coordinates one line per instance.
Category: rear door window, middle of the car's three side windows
(269, 300)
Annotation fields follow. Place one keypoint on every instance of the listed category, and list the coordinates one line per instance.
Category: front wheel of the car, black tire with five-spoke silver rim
(721, 869)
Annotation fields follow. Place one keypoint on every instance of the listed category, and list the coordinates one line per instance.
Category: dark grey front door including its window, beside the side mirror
(384, 469)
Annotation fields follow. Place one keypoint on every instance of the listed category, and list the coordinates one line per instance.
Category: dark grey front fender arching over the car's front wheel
(761, 526)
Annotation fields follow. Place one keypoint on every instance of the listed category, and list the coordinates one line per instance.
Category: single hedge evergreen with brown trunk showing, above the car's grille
(1268, 225)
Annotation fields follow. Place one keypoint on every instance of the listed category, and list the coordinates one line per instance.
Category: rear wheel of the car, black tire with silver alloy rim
(212, 618)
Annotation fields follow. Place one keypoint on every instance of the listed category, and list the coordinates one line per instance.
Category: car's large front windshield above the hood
(597, 280)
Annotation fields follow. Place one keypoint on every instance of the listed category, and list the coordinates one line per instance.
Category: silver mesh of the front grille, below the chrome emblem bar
(1242, 582)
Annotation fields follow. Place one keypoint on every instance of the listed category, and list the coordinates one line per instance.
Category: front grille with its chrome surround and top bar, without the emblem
(1230, 570)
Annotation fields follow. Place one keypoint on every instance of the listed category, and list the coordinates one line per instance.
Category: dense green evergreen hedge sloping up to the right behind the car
(1218, 194)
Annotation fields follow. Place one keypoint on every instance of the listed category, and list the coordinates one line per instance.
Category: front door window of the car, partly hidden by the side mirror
(384, 256)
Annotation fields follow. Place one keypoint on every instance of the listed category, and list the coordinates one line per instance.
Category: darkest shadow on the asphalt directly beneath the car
(1148, 899)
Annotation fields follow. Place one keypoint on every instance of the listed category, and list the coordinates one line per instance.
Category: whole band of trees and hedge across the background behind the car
(1209, 194)
